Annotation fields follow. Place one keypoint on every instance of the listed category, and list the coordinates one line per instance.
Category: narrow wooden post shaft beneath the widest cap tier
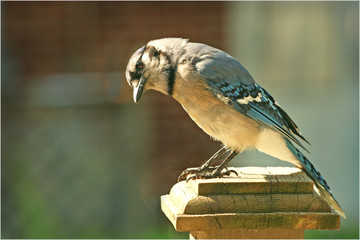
(249, 234)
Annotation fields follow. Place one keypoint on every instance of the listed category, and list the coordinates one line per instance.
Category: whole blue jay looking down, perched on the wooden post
(223, 99)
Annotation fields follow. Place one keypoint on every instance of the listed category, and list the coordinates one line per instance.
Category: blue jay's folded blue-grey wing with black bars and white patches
(231, 83)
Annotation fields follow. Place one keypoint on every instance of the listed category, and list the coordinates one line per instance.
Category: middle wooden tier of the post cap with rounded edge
(188, 202)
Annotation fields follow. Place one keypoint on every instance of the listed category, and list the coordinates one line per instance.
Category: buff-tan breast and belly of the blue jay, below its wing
(217, 119)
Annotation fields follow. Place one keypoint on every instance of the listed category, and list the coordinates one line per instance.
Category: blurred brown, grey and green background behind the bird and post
(81, 160)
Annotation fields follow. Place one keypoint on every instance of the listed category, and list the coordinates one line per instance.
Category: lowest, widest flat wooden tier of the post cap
(218, 221)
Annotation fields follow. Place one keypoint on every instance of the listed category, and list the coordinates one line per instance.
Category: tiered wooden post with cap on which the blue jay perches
(261, 202)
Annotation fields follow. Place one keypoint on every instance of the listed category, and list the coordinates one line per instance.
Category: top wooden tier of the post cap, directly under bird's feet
(256, 180)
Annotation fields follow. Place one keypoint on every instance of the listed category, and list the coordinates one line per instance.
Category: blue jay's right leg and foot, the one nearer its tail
(217, 172)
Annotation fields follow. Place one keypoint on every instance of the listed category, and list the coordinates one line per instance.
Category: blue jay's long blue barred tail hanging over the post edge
(319, 181)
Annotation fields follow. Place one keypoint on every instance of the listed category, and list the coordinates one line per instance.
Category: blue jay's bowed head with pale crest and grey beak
(152, 66)
